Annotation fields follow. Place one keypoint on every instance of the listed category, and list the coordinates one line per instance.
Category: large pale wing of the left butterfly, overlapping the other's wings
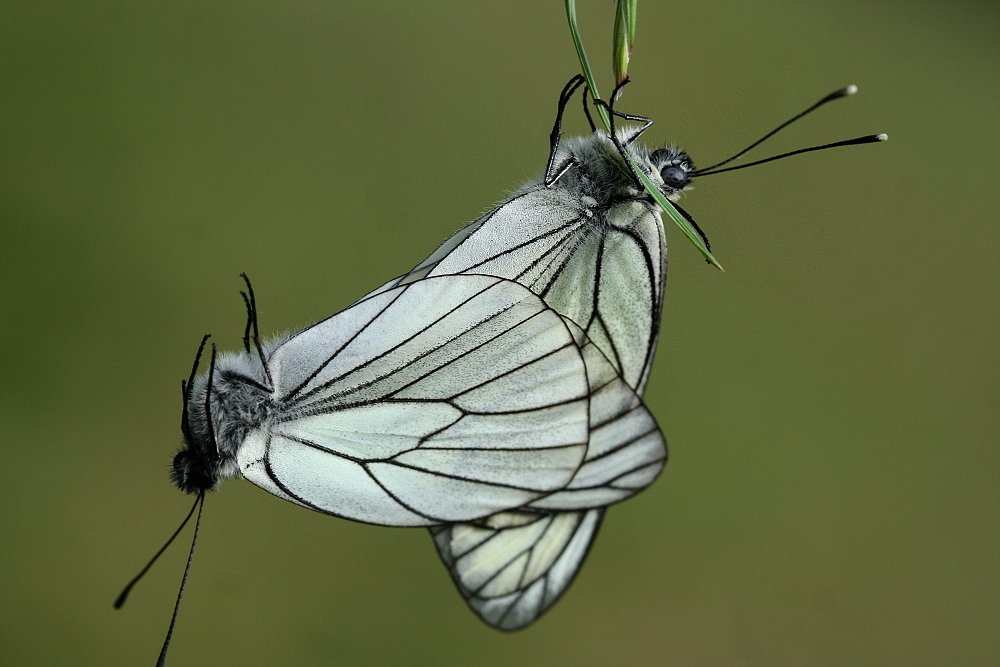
(446, 399)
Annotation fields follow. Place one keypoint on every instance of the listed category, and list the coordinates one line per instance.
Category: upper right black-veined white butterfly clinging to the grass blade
(589, 241)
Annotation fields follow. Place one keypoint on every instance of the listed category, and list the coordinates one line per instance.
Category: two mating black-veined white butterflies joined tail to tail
(491, 394)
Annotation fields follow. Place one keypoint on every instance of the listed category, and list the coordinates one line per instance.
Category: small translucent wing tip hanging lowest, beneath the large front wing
(512, 567)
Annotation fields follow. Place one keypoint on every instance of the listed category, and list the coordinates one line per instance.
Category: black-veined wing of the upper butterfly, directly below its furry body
(603, 269)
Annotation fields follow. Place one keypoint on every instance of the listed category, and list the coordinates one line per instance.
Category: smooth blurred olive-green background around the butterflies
(830, 401)
